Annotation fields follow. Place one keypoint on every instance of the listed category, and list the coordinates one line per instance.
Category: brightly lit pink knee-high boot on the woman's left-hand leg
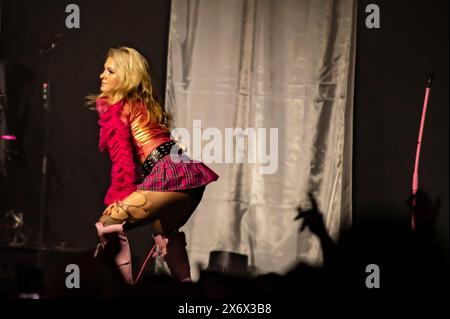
(114, 236)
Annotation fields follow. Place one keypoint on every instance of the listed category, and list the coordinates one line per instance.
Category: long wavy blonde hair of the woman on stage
(135, 85)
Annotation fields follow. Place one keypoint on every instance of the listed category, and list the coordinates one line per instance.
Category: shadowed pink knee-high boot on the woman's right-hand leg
(177, 258)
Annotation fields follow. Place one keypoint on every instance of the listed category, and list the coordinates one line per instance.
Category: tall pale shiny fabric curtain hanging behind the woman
(261, 64)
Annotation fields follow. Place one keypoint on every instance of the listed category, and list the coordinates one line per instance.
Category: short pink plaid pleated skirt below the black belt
(167, 175)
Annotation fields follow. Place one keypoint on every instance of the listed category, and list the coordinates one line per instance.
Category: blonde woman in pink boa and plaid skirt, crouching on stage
(135, 130)
